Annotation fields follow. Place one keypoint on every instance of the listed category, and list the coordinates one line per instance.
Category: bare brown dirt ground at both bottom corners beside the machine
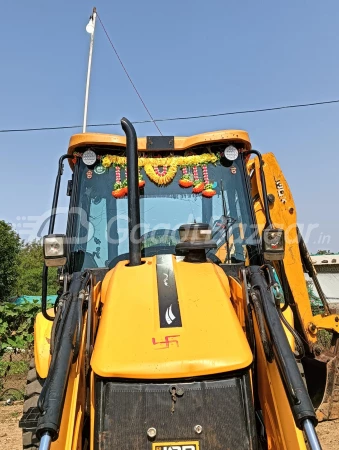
(10, 433)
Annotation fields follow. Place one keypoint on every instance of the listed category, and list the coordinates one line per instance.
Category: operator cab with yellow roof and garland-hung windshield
(182, 180)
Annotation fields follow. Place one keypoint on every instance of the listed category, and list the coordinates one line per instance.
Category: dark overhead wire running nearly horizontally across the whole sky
(202, 116)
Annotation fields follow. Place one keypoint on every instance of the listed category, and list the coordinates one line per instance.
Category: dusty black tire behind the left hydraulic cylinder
(33, 388)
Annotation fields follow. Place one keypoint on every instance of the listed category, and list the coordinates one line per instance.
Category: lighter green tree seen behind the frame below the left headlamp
(31, 262)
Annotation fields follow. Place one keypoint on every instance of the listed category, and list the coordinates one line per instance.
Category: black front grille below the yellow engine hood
(125, 411)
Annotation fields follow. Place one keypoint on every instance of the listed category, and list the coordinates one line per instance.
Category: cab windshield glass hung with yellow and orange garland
(213, 192)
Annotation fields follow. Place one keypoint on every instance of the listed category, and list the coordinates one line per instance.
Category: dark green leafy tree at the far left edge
(9, 251)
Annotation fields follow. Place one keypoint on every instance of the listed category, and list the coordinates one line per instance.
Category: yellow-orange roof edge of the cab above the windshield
(180, 142)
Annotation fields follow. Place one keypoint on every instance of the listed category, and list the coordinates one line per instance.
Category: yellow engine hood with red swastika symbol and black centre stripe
(131, 344)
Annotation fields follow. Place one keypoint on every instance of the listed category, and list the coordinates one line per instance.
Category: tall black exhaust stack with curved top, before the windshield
(133, 193)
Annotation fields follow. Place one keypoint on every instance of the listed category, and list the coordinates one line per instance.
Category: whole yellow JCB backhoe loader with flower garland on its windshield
(183, 320)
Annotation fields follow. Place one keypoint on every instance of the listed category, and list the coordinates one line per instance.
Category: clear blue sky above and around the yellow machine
(186, 58)
